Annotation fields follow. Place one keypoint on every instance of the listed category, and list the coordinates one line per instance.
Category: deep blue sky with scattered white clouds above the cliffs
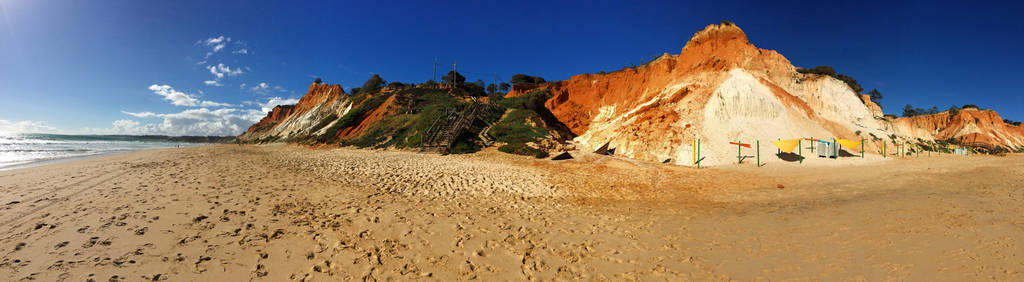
(144, 67)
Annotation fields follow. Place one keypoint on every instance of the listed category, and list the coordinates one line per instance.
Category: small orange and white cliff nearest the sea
(301, 122)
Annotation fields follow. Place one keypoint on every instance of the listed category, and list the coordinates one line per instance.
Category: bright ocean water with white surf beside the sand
(18, 150)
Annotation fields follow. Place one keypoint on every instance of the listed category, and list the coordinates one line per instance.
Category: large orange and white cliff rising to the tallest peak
(720, 89)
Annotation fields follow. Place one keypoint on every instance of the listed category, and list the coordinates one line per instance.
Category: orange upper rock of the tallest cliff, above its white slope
(703, 62)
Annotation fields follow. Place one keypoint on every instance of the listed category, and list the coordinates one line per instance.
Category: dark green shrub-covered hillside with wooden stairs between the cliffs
(406, 122)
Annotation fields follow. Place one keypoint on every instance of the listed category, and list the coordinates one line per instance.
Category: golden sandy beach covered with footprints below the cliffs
(285, 213)
